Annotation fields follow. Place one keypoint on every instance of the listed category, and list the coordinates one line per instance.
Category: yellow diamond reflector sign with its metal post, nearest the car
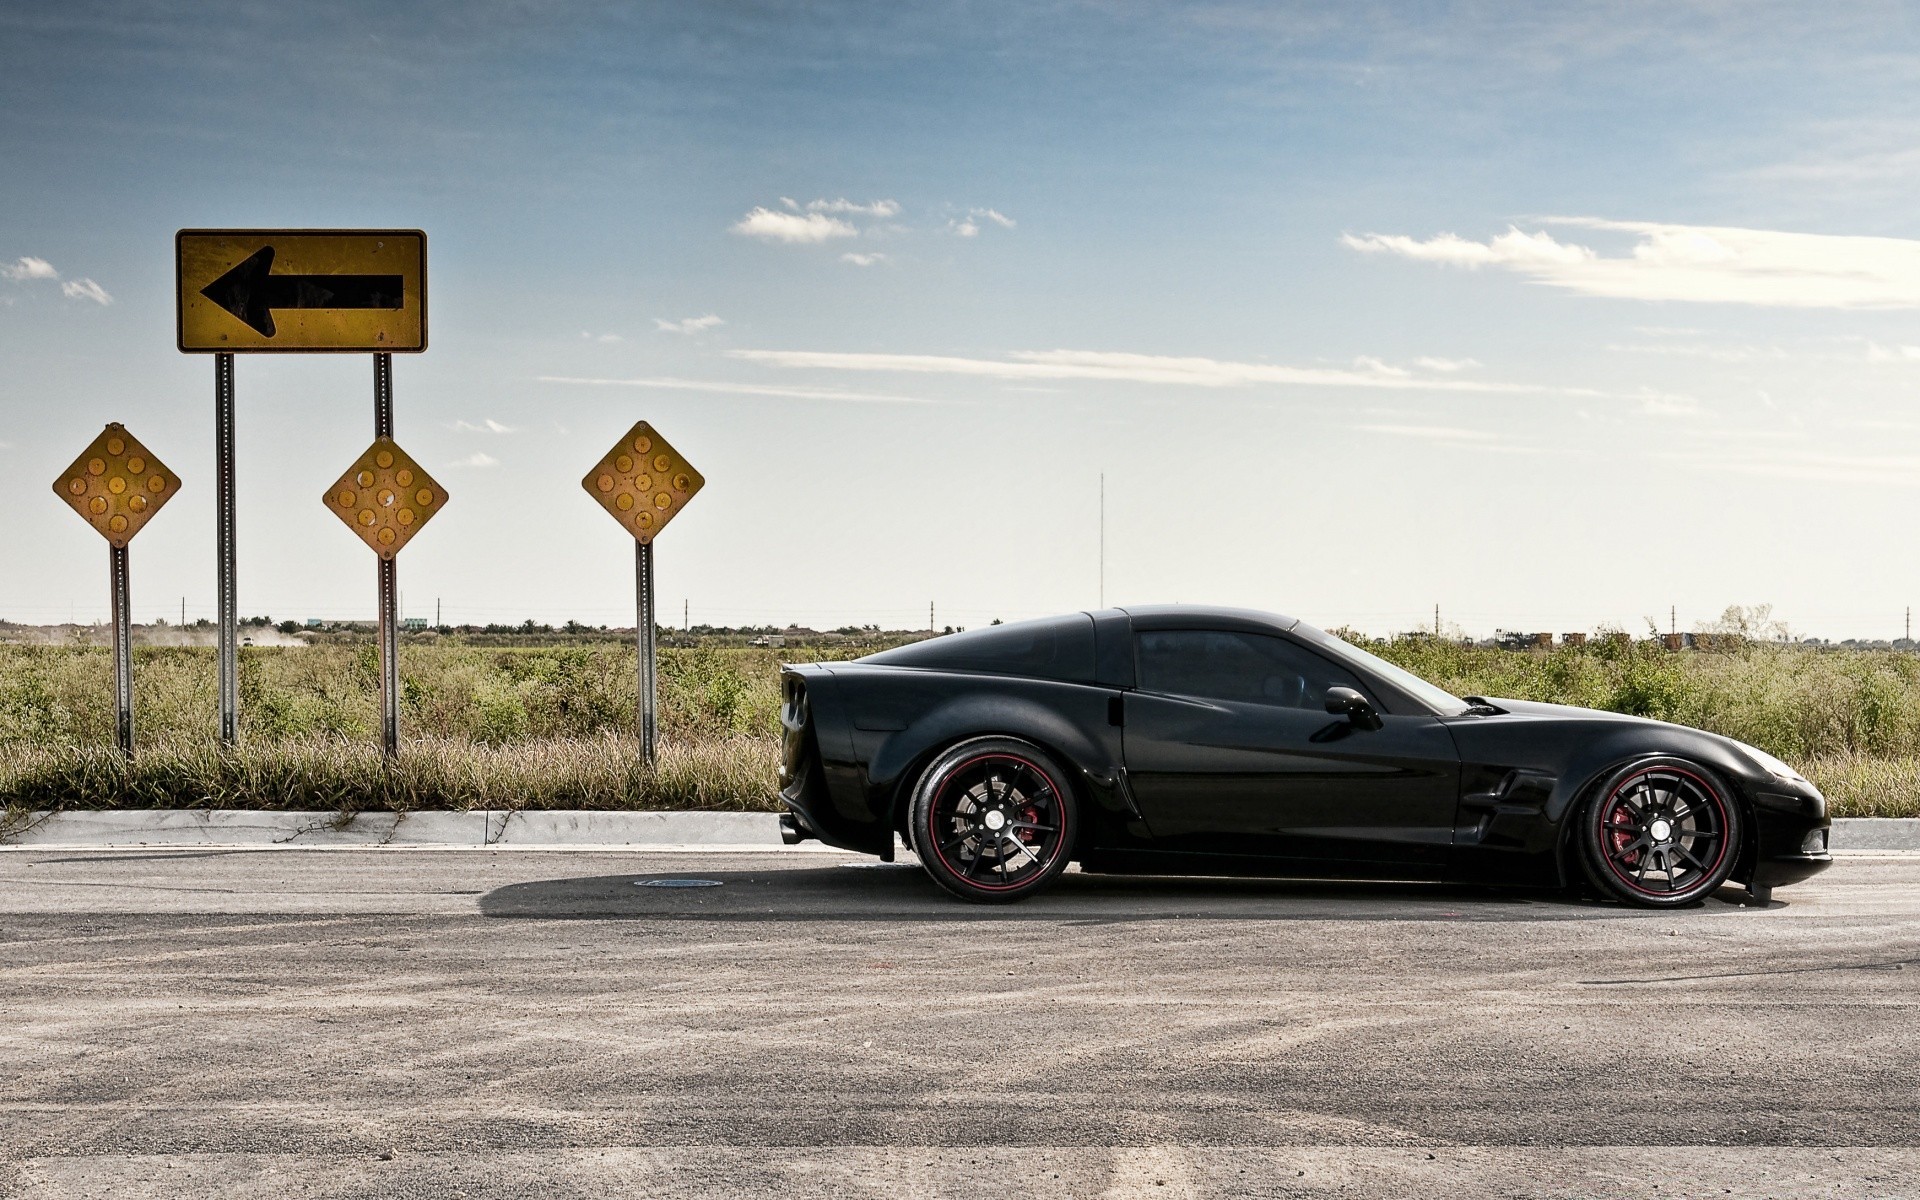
(644, 483)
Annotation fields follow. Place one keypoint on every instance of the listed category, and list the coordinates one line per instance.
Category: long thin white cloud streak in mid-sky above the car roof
(1128, 368)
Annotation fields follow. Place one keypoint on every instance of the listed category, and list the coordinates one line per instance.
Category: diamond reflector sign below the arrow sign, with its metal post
(385, 498)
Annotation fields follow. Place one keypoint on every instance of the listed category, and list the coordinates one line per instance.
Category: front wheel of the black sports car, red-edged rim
(1660, 834)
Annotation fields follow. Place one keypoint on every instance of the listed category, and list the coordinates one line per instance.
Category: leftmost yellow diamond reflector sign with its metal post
(118, 485)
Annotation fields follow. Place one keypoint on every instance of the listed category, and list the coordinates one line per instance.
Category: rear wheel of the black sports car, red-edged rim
(994, 821)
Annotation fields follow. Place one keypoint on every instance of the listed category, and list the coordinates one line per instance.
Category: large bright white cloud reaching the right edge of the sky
(1700, 264)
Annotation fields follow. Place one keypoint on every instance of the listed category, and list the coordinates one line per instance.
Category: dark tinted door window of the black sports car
(1251, 669)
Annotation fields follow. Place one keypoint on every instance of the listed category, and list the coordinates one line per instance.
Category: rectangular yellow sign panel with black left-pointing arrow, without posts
(260, 291)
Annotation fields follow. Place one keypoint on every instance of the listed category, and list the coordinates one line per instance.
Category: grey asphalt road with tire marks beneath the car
(533, 1024)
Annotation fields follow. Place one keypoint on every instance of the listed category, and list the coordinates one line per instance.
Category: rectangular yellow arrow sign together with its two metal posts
(291, 291)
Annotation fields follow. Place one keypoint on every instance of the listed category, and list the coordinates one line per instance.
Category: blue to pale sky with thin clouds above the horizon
(1550, 316)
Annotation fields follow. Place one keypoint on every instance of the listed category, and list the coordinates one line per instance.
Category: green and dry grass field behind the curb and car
(552, 727)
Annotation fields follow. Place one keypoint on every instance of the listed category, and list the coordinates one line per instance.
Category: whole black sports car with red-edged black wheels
(1222, 742)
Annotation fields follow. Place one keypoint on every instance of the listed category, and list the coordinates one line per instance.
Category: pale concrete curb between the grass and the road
(500, 828)
